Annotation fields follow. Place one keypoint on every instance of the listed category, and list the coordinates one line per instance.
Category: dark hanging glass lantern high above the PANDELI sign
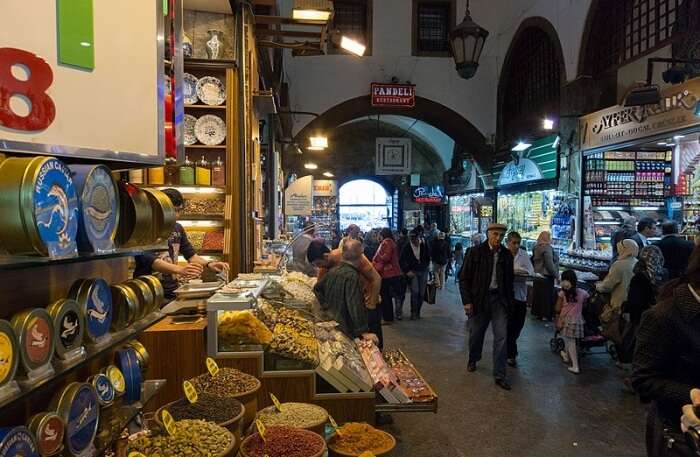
(467, 41)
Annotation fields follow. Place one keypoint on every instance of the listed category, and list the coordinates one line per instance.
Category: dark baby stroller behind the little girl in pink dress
(592, 334)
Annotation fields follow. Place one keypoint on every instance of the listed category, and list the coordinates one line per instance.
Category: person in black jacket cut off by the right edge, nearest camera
(667, 359)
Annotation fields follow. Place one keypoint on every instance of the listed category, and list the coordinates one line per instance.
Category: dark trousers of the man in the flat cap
(494, 312)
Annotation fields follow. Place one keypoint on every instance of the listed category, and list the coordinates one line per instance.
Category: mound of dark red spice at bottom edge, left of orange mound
(284, 442)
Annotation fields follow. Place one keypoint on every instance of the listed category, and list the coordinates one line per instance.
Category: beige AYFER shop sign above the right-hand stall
(677, 110)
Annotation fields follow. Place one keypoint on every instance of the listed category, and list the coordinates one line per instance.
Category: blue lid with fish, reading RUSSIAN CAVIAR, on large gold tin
(56, 208)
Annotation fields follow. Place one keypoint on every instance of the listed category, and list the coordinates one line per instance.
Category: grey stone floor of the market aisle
(549, 413)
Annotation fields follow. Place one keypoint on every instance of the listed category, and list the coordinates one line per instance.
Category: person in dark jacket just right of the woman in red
(414, 262)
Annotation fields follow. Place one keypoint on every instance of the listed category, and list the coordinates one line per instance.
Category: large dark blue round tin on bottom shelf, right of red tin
(79, 408)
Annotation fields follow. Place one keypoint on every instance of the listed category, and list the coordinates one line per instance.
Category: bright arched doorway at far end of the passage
(365, 203)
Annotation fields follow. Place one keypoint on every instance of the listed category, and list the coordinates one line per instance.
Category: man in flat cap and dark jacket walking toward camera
(486, 286)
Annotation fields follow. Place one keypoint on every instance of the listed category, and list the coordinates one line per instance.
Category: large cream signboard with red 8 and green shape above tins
(74, 82)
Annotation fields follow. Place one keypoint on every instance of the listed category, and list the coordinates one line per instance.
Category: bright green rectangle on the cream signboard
(76, 38)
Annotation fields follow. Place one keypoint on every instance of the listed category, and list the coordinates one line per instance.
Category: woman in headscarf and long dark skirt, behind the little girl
(546, 263)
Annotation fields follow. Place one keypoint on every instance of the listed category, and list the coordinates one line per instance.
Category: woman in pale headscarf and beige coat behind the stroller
(617, 284)
